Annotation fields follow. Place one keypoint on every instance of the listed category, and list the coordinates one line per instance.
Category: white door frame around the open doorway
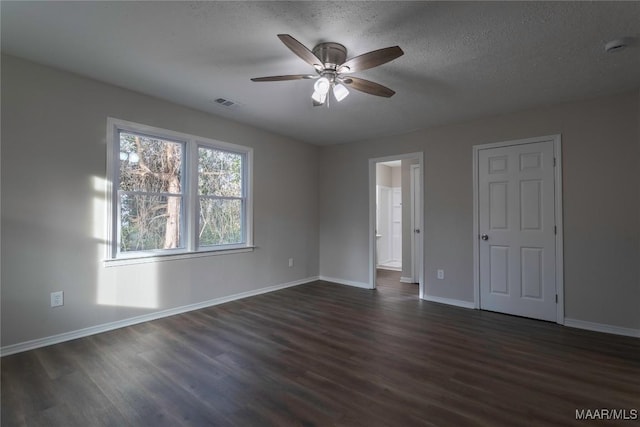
(372, 215)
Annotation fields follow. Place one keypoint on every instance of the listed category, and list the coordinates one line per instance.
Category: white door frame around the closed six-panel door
(557, 152)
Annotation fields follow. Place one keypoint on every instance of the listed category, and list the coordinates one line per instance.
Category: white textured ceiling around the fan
(462, 60)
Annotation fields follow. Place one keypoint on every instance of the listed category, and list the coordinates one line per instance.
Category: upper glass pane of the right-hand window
(219, 173)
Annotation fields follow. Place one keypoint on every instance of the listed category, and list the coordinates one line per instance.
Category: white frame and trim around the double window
(190, 195)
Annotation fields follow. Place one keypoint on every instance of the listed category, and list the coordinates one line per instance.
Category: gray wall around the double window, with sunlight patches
(53, 215)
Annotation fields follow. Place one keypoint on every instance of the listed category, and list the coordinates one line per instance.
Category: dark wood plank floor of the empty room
(326, 355)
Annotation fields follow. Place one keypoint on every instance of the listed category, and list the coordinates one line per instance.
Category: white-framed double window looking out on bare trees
(173, 193)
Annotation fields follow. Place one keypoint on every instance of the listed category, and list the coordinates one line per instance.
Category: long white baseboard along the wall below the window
(80, 333)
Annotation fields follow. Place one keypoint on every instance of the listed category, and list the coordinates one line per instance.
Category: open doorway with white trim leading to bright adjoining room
(395, 218)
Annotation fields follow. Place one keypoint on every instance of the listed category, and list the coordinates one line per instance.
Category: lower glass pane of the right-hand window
(220, 221)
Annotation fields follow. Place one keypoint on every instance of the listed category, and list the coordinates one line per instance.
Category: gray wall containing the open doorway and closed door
(601, 148)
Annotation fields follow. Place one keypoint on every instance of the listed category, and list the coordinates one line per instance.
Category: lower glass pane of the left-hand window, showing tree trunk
(149, 222)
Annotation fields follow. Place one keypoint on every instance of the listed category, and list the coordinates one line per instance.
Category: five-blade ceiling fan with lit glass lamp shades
(332, 69)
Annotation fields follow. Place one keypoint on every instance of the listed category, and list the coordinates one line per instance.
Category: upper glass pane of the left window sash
(150, 164)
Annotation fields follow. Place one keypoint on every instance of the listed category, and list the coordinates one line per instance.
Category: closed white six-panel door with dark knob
(517, 230)
